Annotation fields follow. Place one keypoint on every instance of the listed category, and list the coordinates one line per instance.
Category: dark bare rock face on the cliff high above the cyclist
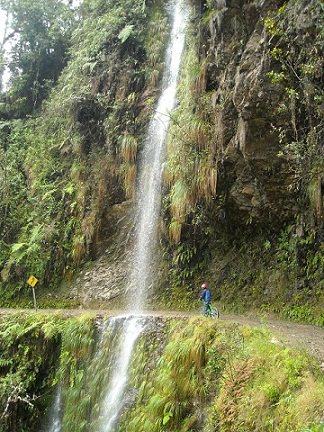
(257, 182)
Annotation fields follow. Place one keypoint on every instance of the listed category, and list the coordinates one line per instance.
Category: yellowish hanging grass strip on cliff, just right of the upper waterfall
(191, 171)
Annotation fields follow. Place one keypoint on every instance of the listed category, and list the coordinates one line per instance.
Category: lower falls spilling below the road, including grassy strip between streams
(97, 405)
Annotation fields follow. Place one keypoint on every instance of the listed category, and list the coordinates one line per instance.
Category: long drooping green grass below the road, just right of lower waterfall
(166, 402)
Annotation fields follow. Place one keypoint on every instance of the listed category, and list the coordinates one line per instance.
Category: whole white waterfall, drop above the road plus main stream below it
(148, 208)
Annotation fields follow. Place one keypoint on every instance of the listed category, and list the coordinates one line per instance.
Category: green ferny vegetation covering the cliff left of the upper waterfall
(63, 169)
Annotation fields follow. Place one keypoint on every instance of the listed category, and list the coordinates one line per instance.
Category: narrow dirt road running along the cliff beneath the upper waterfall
(302, 336)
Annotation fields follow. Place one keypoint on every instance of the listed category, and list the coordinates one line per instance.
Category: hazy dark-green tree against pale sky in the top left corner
(40, 33)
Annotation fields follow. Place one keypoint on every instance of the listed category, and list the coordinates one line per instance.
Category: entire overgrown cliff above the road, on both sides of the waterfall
(243, 177)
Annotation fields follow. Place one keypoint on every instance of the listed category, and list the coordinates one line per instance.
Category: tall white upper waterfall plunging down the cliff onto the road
(149, 187)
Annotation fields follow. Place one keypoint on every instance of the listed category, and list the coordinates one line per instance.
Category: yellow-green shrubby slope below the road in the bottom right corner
(263, 388)
